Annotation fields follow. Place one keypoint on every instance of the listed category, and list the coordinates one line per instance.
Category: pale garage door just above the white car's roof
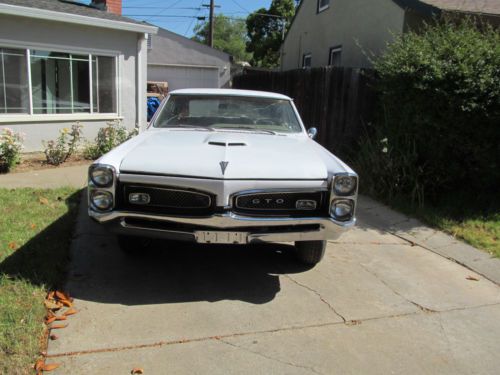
(183, 77)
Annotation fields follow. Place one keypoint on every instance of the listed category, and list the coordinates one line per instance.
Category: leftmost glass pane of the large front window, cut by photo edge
(14, 96)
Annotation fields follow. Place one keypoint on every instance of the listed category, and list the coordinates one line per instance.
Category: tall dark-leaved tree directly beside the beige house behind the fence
(265, 33)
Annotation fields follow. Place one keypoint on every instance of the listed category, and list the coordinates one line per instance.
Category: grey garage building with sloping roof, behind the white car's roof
(184, 63)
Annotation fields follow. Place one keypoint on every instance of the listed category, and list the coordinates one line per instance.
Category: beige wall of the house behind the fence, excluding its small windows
(356, 25)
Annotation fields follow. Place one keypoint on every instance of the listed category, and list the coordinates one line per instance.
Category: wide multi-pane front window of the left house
(61, 83)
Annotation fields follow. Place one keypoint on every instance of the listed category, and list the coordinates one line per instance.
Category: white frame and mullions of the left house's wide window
(31, 117)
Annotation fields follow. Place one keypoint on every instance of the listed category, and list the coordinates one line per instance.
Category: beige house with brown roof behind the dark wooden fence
(346, 32)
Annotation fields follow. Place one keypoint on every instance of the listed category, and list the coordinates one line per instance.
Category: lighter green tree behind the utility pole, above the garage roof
(229, 36)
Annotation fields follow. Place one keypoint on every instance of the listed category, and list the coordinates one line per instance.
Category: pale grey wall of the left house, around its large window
(30, 33)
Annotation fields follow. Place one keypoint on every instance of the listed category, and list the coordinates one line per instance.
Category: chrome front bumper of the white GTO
(278, 229)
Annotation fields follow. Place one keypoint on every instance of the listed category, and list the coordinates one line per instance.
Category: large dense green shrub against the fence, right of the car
(440, 114)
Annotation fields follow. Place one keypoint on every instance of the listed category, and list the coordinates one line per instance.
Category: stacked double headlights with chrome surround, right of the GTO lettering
(343, 197)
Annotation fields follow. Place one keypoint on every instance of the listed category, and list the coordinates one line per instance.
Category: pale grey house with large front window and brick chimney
(63, 62)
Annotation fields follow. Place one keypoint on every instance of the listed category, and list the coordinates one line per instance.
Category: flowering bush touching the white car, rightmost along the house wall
(107, 138)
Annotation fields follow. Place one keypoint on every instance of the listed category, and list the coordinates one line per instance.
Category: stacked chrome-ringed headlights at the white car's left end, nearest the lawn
(101, 187)
